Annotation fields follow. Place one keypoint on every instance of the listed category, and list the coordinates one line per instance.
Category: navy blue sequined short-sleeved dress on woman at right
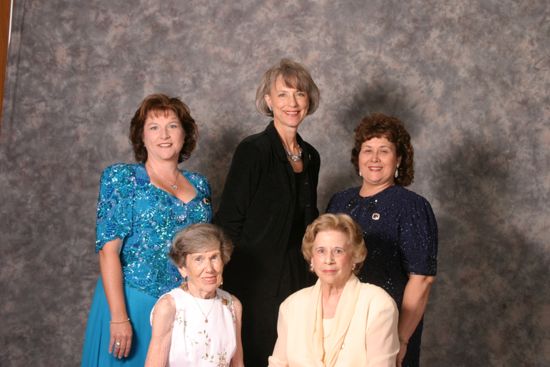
(400, 232)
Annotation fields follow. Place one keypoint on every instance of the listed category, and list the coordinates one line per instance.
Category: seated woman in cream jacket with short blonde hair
(339, 321)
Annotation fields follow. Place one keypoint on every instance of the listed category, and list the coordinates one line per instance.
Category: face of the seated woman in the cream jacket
(332, 258)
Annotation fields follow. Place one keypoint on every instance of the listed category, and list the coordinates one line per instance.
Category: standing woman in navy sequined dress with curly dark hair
(399, 226)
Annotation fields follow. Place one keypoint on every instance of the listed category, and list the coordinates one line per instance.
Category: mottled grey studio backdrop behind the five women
(470, 79)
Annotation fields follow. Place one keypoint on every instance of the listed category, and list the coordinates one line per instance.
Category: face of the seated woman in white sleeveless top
(204, 272)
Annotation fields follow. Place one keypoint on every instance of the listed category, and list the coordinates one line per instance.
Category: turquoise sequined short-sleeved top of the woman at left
(146, 218)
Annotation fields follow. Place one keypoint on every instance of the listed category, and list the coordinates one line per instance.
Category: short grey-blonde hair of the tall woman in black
(294, 75)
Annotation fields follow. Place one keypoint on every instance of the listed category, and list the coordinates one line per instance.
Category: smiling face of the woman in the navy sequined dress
(377, 163)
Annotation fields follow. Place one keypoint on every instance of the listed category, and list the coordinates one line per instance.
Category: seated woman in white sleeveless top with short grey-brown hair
(197, 324)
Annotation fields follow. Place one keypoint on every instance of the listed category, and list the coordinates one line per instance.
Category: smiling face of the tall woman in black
(289, 105)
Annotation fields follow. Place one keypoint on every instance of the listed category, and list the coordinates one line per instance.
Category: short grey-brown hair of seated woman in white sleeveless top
(197, 238)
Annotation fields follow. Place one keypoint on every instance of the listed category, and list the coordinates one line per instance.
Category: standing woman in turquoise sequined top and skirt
(140, 208)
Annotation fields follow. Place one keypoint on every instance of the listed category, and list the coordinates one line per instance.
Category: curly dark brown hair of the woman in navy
(379, 125)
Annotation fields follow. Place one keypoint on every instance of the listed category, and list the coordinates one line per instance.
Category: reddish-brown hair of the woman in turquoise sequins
(162, 102)
